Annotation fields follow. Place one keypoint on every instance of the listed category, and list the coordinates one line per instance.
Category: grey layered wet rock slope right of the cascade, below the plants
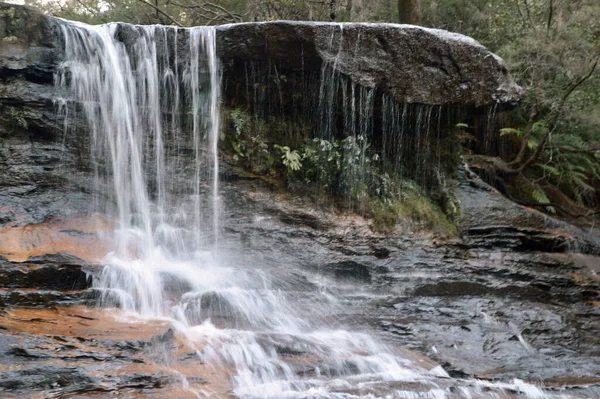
(481, 308)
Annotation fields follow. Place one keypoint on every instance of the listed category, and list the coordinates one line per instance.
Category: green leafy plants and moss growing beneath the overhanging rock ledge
(347, 170)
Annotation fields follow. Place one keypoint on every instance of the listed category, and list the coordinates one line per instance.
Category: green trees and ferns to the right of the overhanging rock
(551, 158)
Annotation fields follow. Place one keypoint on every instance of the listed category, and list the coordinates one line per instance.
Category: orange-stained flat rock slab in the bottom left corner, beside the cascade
(79, 352)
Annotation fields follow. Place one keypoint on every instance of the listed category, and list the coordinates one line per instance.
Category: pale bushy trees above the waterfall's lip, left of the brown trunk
(193, 13)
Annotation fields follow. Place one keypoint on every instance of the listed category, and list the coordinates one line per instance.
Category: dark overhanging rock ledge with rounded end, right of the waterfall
(447, 68)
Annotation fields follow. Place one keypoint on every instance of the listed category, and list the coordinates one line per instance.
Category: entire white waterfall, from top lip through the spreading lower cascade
(148, 95)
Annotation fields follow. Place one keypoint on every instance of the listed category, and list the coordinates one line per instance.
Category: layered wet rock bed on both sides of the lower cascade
(490, 309)
